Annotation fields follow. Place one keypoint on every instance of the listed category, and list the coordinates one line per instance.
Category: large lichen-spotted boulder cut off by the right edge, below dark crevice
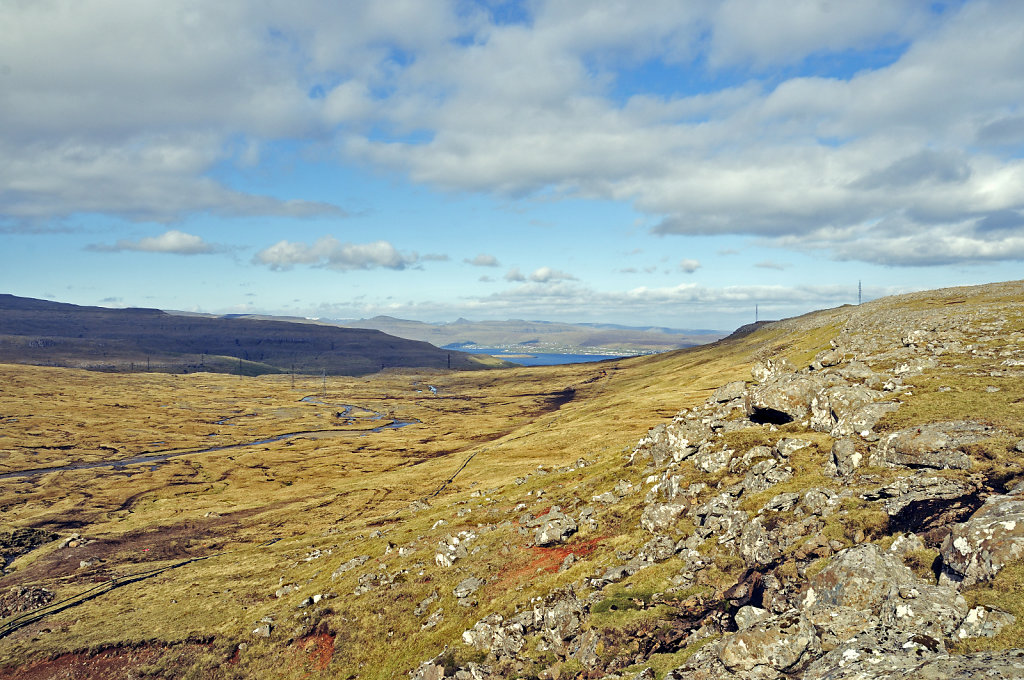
(994, 537)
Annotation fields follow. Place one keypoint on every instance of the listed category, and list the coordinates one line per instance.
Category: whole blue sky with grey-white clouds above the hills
(659, 163)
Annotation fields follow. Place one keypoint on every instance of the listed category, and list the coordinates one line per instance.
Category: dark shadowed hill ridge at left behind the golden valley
(46, 333)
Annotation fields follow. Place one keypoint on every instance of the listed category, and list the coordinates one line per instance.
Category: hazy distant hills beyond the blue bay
(541, 336)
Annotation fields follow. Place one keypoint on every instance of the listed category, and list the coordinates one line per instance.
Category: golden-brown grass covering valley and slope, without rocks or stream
(332, 495)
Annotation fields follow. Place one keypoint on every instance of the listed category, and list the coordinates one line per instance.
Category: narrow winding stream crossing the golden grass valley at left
(156, 458)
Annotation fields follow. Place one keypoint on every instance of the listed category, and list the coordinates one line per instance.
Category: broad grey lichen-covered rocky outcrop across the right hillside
(778, 483)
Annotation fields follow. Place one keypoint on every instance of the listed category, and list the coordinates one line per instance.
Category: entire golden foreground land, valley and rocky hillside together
(529, 522)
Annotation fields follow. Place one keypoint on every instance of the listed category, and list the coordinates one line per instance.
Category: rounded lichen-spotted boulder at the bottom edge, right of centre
(783, 644)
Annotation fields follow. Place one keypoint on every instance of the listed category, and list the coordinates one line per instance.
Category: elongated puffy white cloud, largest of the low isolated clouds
(330, 253)
